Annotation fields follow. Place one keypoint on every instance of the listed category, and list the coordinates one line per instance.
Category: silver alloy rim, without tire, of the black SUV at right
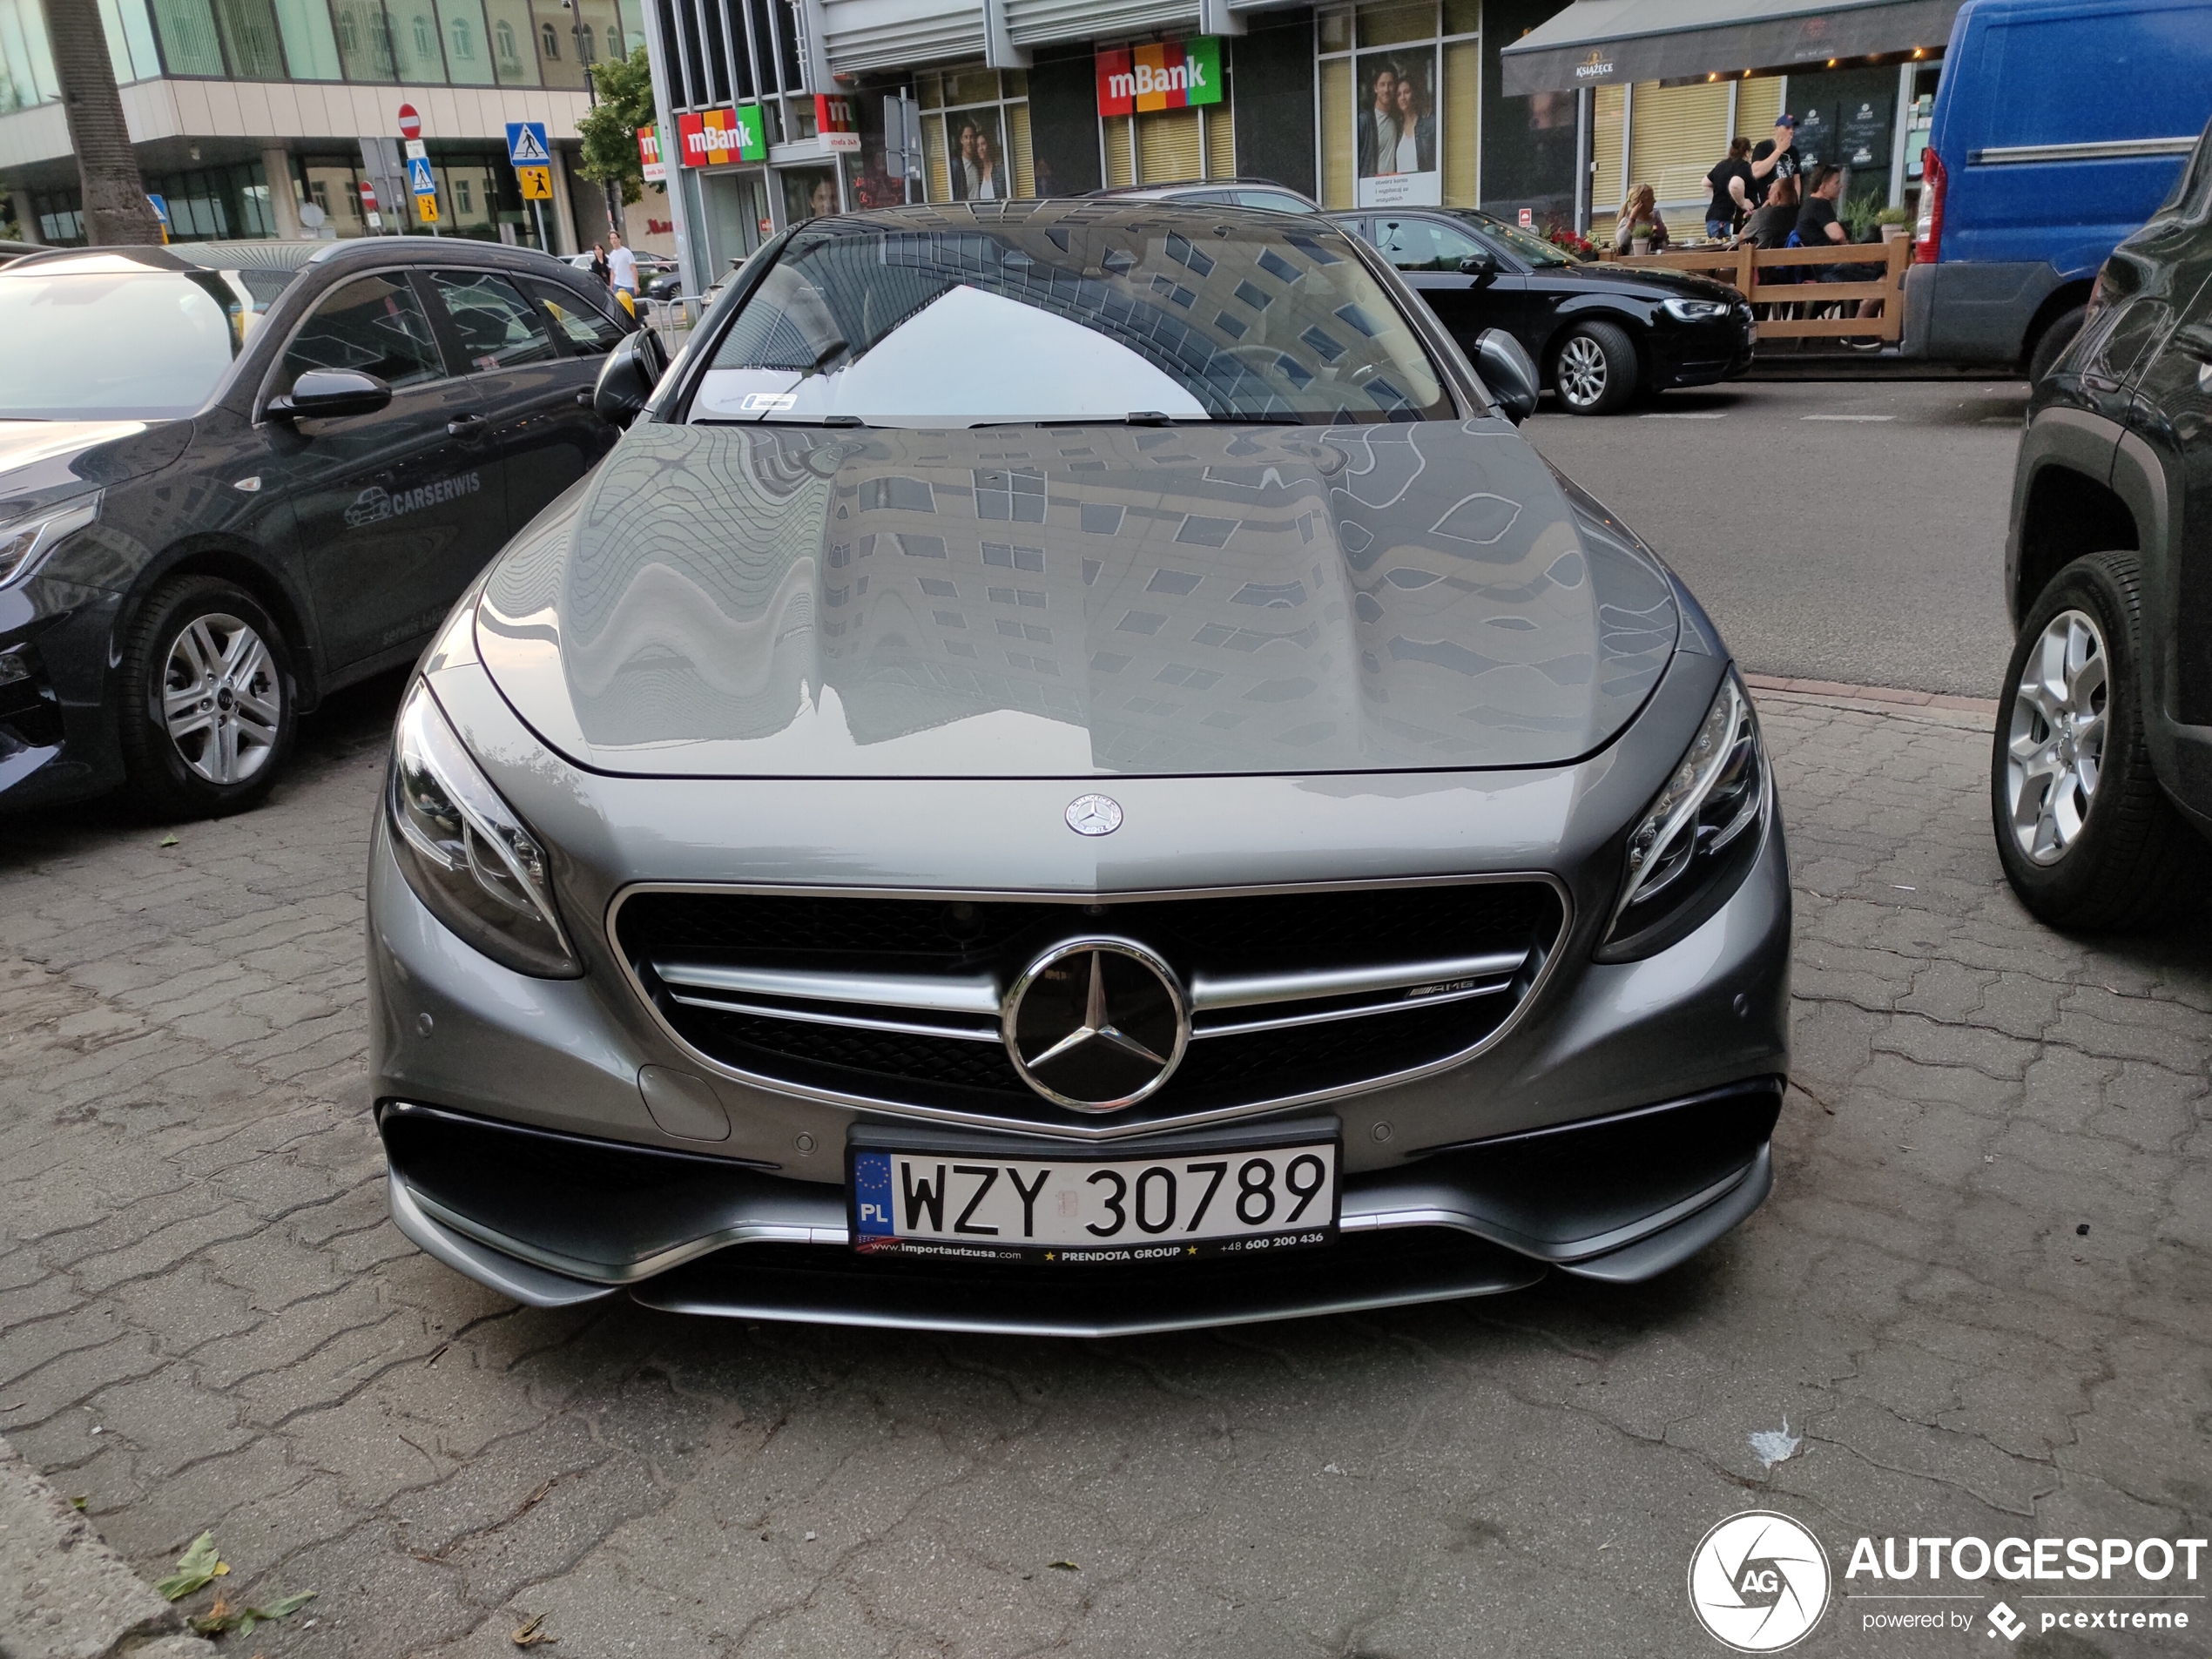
(2056, 740)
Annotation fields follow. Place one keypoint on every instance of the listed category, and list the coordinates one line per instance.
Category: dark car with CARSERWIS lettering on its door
(240, 477)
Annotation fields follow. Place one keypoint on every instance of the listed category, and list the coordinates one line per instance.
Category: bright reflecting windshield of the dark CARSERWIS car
(116, 344)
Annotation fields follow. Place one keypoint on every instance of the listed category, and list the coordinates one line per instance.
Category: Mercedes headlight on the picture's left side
(463, 851)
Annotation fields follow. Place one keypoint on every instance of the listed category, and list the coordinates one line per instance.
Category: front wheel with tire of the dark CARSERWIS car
(222, 751)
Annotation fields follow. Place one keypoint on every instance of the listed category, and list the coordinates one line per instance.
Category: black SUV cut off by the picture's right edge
(2103, 762)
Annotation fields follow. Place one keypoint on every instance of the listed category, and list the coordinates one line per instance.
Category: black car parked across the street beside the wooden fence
(1596, 333)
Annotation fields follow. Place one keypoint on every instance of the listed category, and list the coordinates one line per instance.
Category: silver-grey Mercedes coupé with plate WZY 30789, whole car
(1074, 773)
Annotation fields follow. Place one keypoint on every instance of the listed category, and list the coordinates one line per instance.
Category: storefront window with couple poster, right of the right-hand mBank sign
(1401, 112)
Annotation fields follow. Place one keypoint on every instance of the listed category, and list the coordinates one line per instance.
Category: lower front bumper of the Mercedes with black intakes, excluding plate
(556, 1220)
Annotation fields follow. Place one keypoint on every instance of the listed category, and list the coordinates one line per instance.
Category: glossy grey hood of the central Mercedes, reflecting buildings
(1074, 603)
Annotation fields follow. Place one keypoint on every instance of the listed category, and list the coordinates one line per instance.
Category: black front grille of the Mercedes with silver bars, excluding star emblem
(897, 999)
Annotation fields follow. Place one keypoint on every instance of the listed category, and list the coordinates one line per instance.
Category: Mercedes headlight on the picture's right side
(1700, 833)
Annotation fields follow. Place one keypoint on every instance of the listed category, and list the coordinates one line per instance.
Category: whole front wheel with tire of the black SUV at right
(2087, 835)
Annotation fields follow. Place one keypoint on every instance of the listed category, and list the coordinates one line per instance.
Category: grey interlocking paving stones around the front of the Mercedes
(1979, 1295)
